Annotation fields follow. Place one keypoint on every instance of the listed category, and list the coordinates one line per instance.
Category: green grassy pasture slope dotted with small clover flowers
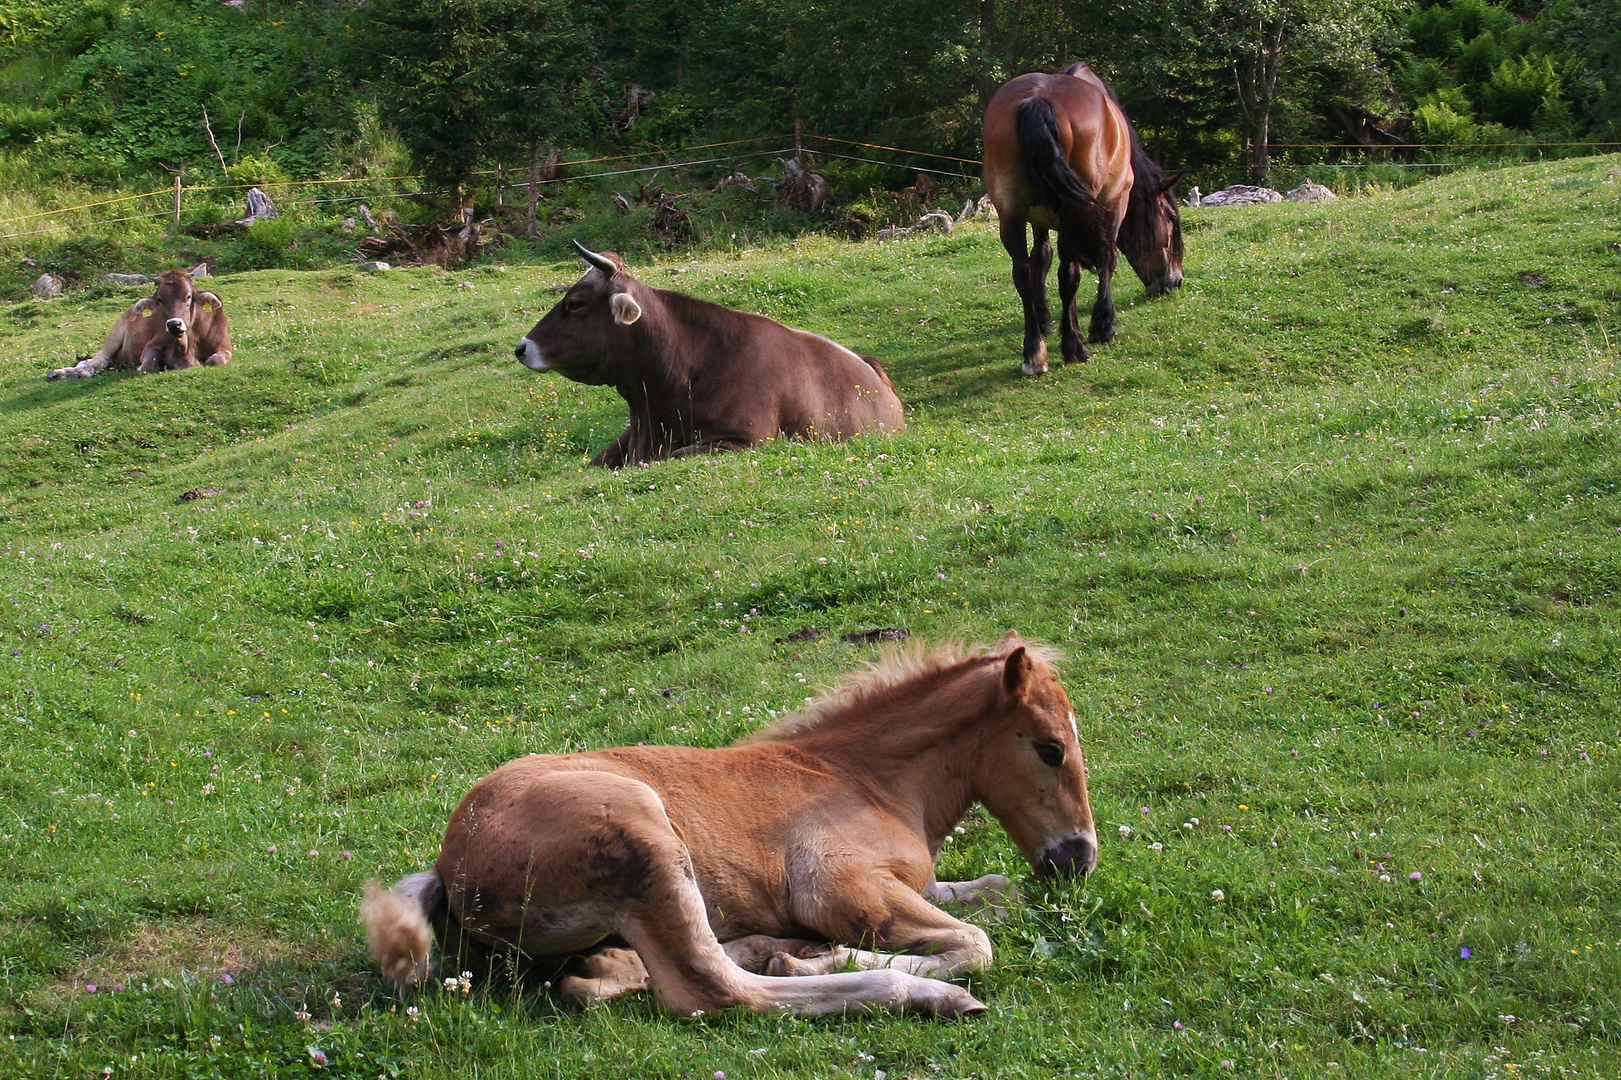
(1333, 542)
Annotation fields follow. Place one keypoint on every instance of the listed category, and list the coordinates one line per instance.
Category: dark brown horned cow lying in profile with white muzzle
(701, 377)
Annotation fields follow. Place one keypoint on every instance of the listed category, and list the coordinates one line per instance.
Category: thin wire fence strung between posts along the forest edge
(383, 189)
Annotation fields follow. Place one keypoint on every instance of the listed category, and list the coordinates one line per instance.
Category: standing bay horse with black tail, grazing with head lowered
(1063, 156)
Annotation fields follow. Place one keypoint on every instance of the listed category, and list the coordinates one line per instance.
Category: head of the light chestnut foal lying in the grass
(1032, 771)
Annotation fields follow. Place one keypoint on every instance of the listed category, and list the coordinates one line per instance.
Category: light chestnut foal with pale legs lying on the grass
(821, 829)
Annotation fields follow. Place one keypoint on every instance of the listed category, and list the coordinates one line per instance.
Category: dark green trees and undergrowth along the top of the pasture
(111, 90)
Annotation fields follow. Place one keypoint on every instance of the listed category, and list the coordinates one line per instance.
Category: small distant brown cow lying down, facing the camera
(174, 328)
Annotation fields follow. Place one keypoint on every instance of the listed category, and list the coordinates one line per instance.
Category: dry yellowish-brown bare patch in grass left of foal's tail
(203, 948)
